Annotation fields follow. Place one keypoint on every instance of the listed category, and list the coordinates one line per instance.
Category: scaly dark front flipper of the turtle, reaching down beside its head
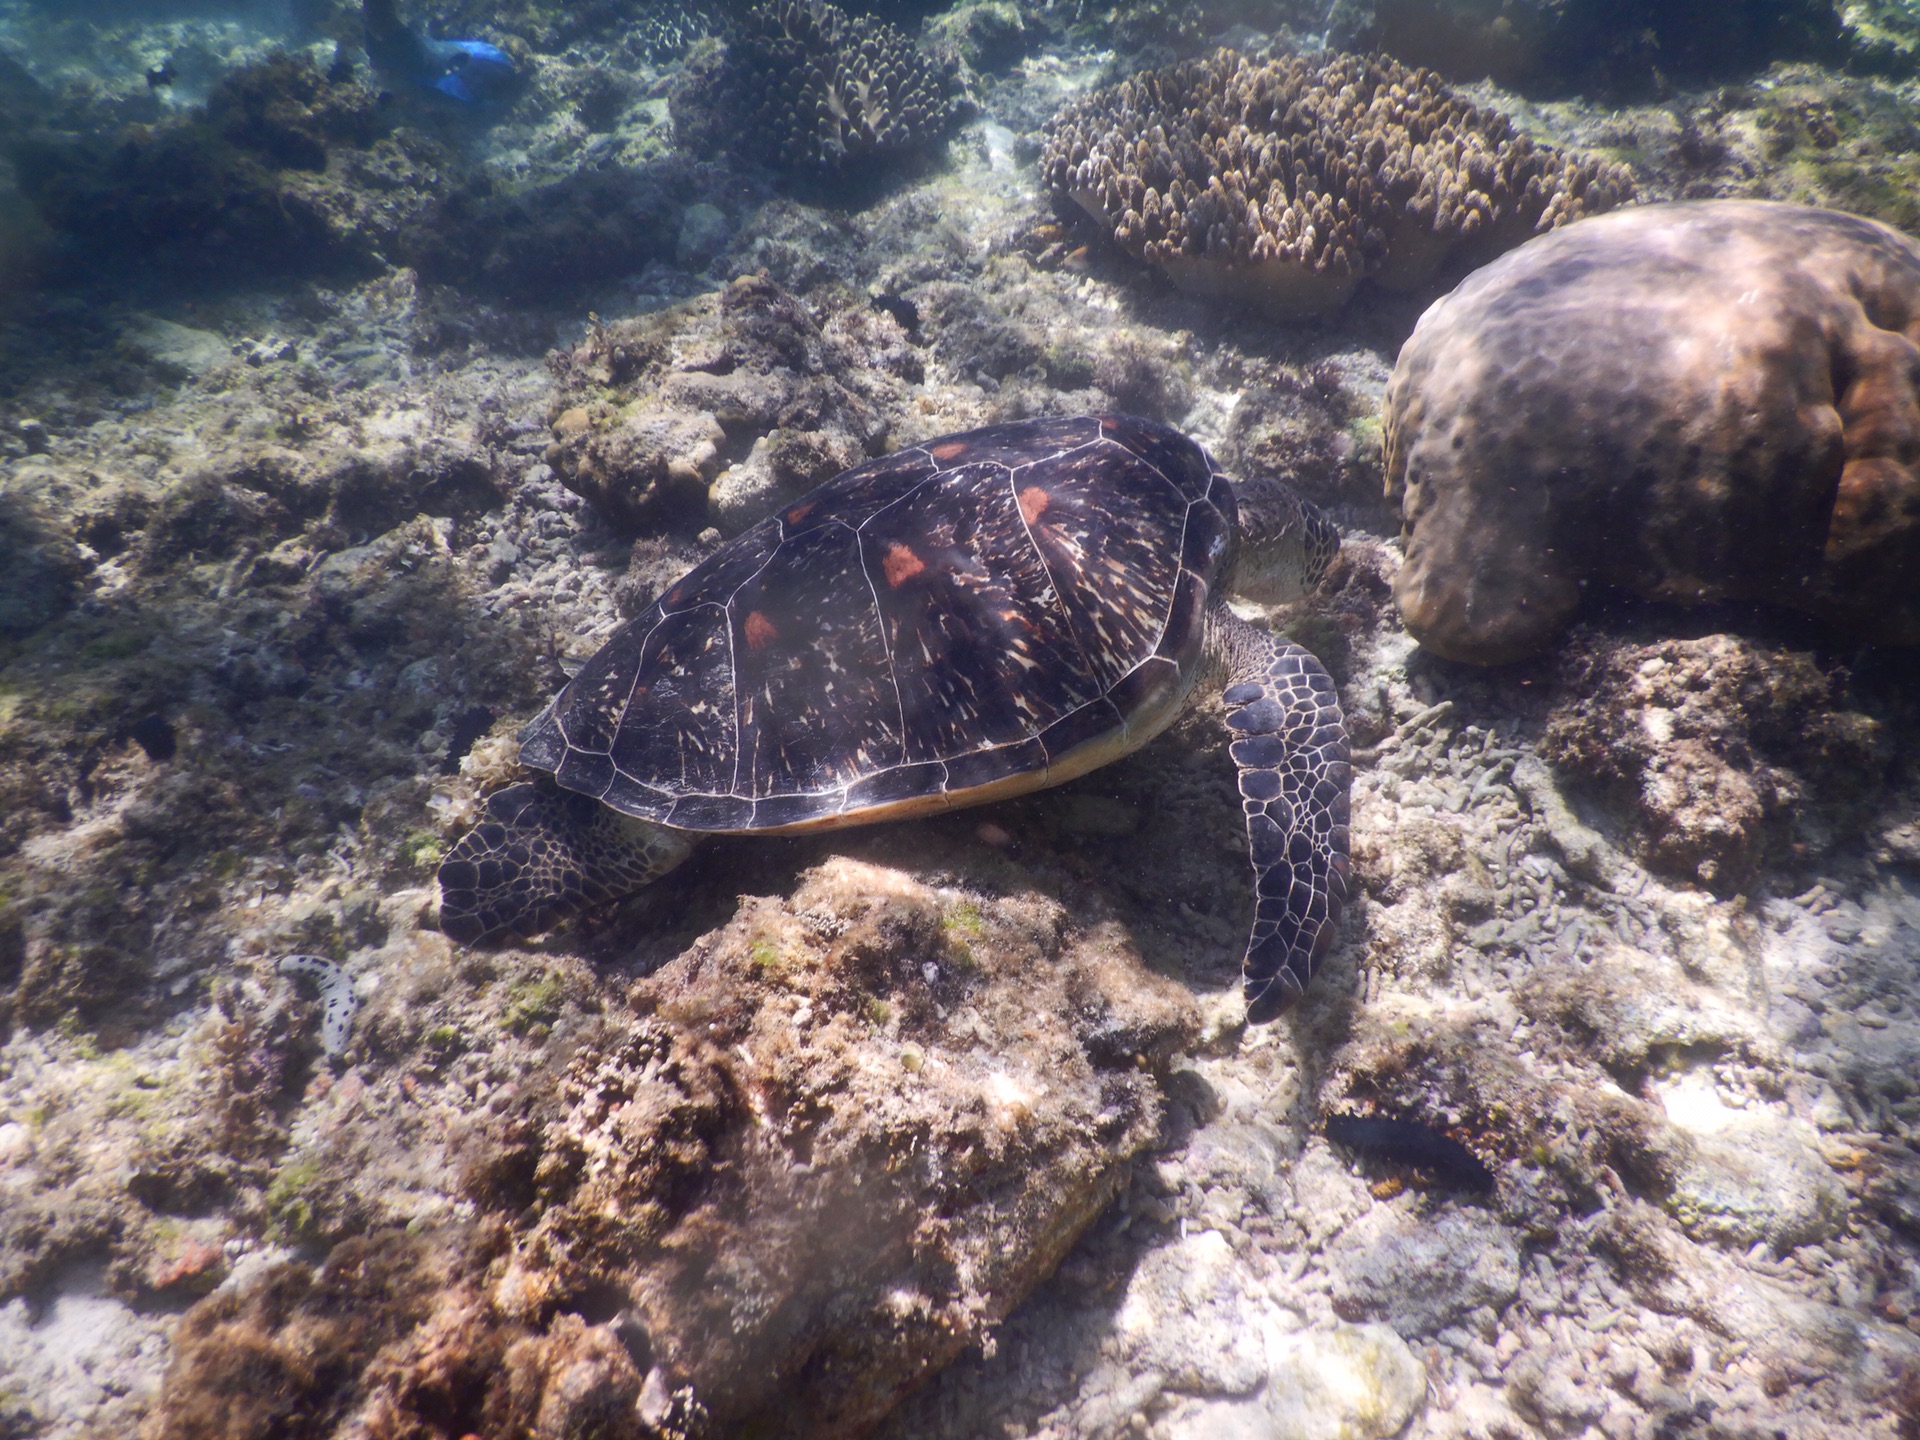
(1289, 744)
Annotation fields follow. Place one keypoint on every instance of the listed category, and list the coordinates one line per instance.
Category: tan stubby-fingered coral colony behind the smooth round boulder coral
(1289, 181)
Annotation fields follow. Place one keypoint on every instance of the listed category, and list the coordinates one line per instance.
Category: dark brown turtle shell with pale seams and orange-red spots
(974, 617)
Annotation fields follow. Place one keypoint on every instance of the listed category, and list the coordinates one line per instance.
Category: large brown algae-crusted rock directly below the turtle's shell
(828, 1178)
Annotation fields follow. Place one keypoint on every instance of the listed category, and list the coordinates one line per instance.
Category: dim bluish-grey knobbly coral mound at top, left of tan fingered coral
(817, 93)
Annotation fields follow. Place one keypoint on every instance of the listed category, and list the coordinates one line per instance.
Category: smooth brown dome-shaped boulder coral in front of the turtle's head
(1694, 402)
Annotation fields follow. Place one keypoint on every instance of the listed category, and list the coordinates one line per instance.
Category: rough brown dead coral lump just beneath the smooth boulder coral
(1719, 748)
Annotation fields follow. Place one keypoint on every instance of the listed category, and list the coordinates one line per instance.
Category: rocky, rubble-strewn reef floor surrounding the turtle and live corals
(285, 567)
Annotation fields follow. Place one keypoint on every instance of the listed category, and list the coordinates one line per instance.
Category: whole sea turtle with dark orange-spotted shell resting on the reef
(963, 621)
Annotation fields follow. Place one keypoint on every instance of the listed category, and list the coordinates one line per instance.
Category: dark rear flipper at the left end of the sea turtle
(542, 855)
